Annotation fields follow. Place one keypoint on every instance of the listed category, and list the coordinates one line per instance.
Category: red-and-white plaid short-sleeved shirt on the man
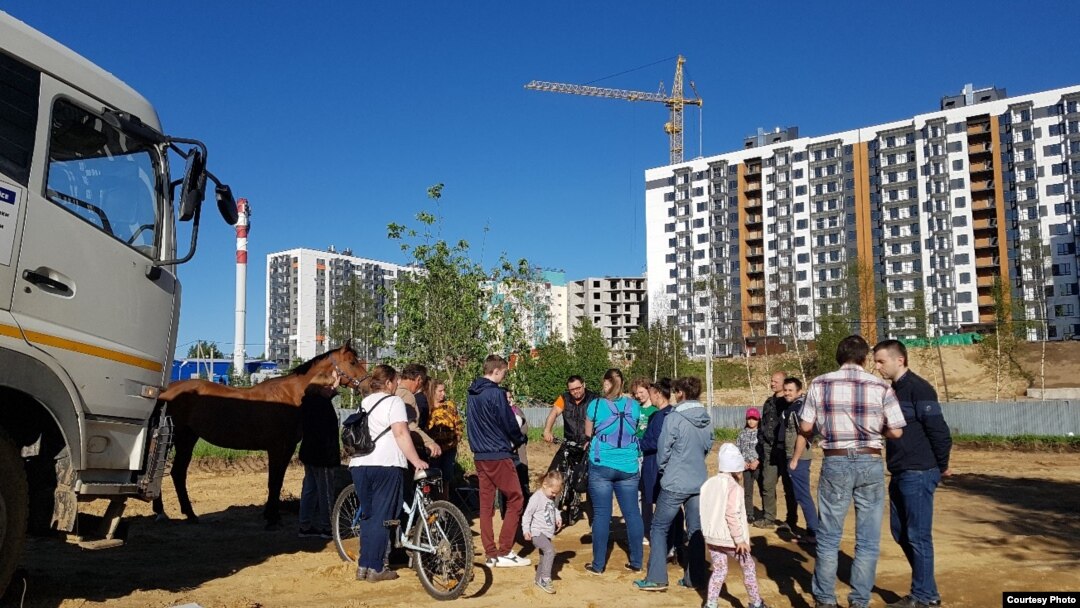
(852, 409)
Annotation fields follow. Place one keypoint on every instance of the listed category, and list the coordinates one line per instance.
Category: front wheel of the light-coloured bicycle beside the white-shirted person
(447, 572)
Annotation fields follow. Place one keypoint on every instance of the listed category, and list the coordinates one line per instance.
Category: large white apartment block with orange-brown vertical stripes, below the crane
(925, 226)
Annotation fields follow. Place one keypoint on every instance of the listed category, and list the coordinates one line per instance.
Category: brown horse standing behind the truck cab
(266, 416)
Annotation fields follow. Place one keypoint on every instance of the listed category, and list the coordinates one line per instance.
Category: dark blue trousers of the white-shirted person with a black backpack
(380, 491)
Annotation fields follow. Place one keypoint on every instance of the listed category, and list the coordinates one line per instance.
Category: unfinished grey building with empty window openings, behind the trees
(616, 305)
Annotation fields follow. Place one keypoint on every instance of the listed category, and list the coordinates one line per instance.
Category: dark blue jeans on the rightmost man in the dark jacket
(912, 519)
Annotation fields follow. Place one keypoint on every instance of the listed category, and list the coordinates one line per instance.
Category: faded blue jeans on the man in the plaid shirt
(844, 479)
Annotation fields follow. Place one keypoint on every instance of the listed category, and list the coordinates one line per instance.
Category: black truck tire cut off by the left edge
(13, 509)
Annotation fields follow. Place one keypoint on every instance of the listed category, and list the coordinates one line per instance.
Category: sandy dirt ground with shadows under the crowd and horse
(1005, 521)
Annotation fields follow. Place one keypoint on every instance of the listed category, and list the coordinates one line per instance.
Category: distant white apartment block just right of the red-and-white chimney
(303, 287)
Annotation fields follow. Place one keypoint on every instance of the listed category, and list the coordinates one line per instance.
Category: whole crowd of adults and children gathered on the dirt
(649, 445)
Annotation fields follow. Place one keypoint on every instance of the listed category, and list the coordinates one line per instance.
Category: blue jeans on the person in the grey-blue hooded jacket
(669, 505)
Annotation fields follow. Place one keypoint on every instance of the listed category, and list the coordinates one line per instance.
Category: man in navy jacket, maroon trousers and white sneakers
(494, 437)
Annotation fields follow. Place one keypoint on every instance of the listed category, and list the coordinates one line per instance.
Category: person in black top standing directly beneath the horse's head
(321, 454)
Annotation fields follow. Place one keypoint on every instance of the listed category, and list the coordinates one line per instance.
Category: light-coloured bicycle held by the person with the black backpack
(437, 536)
